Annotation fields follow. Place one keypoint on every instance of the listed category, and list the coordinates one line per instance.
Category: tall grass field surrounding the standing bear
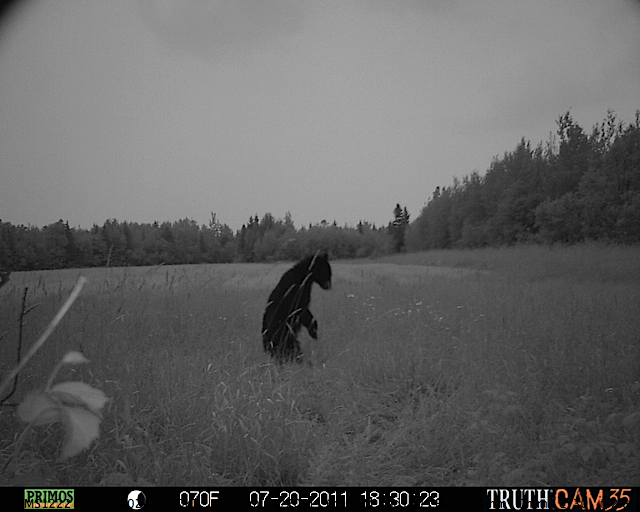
(502, 367)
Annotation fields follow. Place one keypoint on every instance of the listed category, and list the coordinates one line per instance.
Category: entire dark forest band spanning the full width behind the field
(576, 187)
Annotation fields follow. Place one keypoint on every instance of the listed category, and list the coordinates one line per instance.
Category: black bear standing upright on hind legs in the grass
(288, 307)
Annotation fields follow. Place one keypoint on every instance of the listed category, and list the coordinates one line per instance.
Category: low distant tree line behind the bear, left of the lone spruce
(116, 243)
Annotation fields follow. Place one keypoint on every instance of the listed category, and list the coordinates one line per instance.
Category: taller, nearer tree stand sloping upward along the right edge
(577, 187)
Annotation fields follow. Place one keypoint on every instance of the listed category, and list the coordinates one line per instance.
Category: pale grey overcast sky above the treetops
(166, 109)
